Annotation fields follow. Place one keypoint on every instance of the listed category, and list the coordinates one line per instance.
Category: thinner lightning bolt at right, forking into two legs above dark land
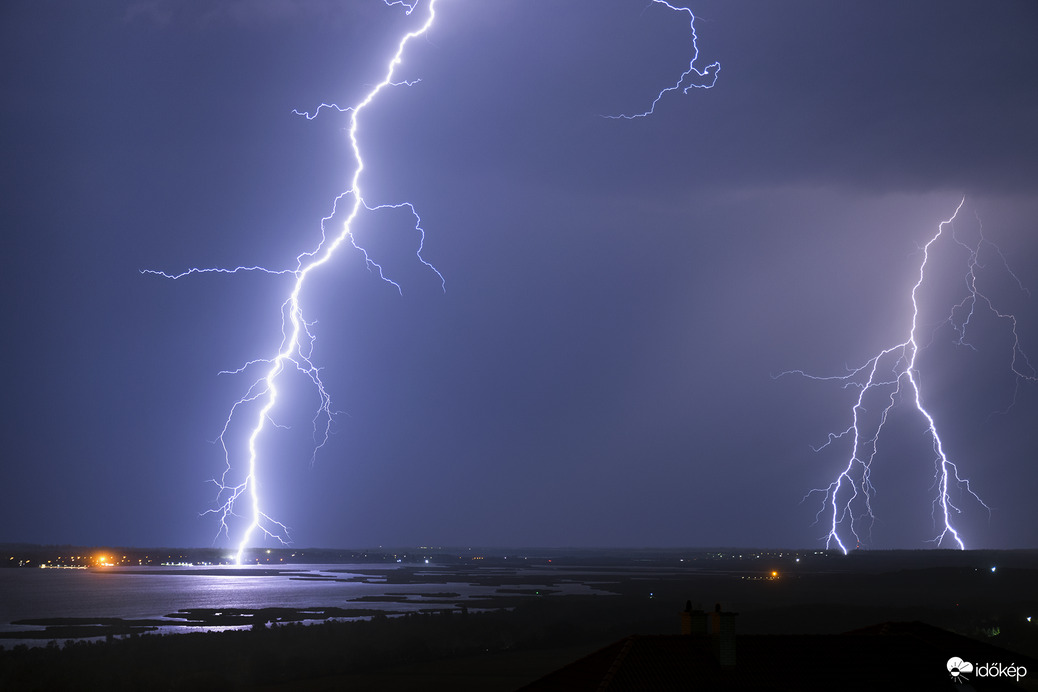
(892, 376)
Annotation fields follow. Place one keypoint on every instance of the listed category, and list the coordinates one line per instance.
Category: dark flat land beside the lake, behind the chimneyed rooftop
(527, 632)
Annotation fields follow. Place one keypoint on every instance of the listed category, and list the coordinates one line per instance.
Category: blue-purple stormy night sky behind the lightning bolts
(620, 295)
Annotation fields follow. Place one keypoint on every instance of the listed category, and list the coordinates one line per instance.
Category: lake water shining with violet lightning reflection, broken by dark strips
(156, 593)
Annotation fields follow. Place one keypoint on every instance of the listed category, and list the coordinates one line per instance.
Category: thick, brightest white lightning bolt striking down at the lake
(297, 338)
